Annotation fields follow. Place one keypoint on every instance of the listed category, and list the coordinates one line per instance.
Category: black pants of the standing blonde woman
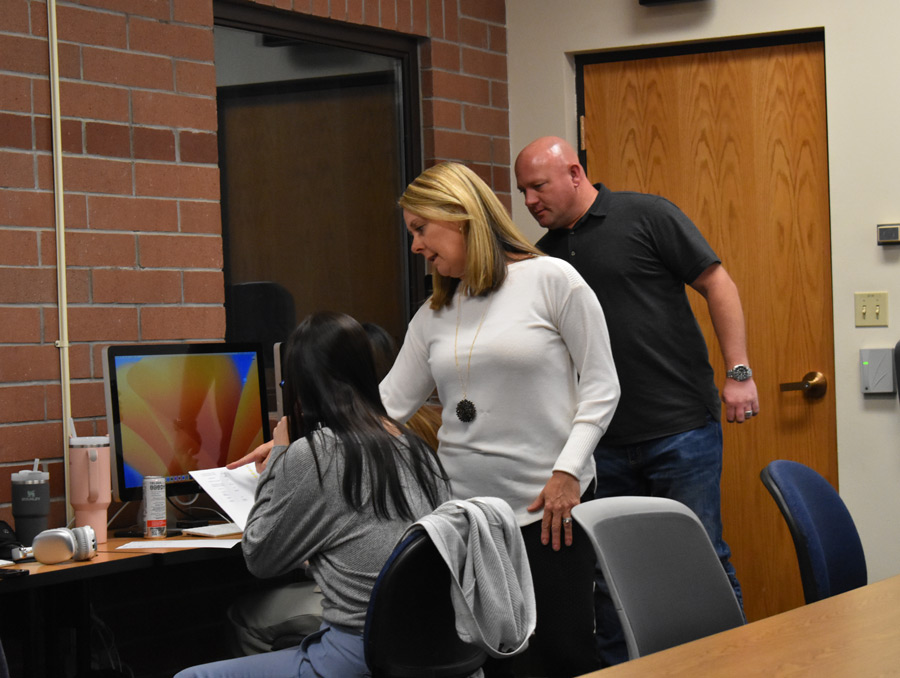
(563, 643)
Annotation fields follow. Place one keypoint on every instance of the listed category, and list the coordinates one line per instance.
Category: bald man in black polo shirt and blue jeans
(637, 252)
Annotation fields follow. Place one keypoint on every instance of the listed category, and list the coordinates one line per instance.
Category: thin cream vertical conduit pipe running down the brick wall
(59, 202)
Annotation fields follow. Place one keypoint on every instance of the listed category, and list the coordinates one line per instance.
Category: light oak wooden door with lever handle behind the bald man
(737, 139)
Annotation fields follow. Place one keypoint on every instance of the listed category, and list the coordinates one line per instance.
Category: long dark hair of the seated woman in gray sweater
(330, 382)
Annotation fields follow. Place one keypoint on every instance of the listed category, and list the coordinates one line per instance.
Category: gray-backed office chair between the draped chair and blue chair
(667, 583)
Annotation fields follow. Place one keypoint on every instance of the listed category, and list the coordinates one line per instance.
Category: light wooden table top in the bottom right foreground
(853, 634)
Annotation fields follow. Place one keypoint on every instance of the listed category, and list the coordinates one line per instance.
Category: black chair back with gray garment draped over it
(410, 627)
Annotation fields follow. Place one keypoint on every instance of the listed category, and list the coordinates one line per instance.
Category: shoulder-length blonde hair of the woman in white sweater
(452, 192)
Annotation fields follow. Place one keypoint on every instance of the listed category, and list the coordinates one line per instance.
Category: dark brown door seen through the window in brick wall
(311, 172)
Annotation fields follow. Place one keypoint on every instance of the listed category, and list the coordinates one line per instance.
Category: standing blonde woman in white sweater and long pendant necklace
(517, 347)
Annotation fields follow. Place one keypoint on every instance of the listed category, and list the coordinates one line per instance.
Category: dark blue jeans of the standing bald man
(686, 467)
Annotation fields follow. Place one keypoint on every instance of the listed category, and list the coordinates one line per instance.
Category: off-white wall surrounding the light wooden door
(862, 66)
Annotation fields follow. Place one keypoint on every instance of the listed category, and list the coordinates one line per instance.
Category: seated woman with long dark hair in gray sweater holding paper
(338, 487)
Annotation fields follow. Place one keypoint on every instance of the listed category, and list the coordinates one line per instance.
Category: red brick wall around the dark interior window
(143, 229)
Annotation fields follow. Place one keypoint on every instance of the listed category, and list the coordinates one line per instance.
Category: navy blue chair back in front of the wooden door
(828, 547)
